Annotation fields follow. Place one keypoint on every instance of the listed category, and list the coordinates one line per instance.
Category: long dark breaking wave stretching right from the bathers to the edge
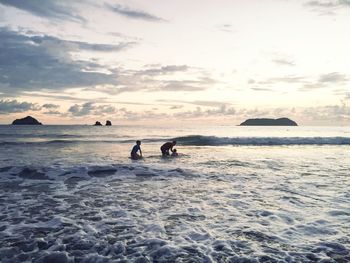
(199, 140)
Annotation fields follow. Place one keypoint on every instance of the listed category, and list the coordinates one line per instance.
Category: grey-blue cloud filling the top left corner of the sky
(52, 9)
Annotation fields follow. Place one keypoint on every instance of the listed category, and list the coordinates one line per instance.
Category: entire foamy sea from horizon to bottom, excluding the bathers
(235, 194)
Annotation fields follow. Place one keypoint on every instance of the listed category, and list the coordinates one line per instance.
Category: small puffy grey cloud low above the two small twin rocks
(90, 108)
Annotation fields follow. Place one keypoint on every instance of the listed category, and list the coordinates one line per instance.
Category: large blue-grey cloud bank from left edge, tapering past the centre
(44, 63)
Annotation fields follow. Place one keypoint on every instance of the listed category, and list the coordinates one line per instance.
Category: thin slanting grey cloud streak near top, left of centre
(133, 13)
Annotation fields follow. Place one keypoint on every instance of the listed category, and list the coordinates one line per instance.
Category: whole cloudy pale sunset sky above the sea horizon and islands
(175, 62)
